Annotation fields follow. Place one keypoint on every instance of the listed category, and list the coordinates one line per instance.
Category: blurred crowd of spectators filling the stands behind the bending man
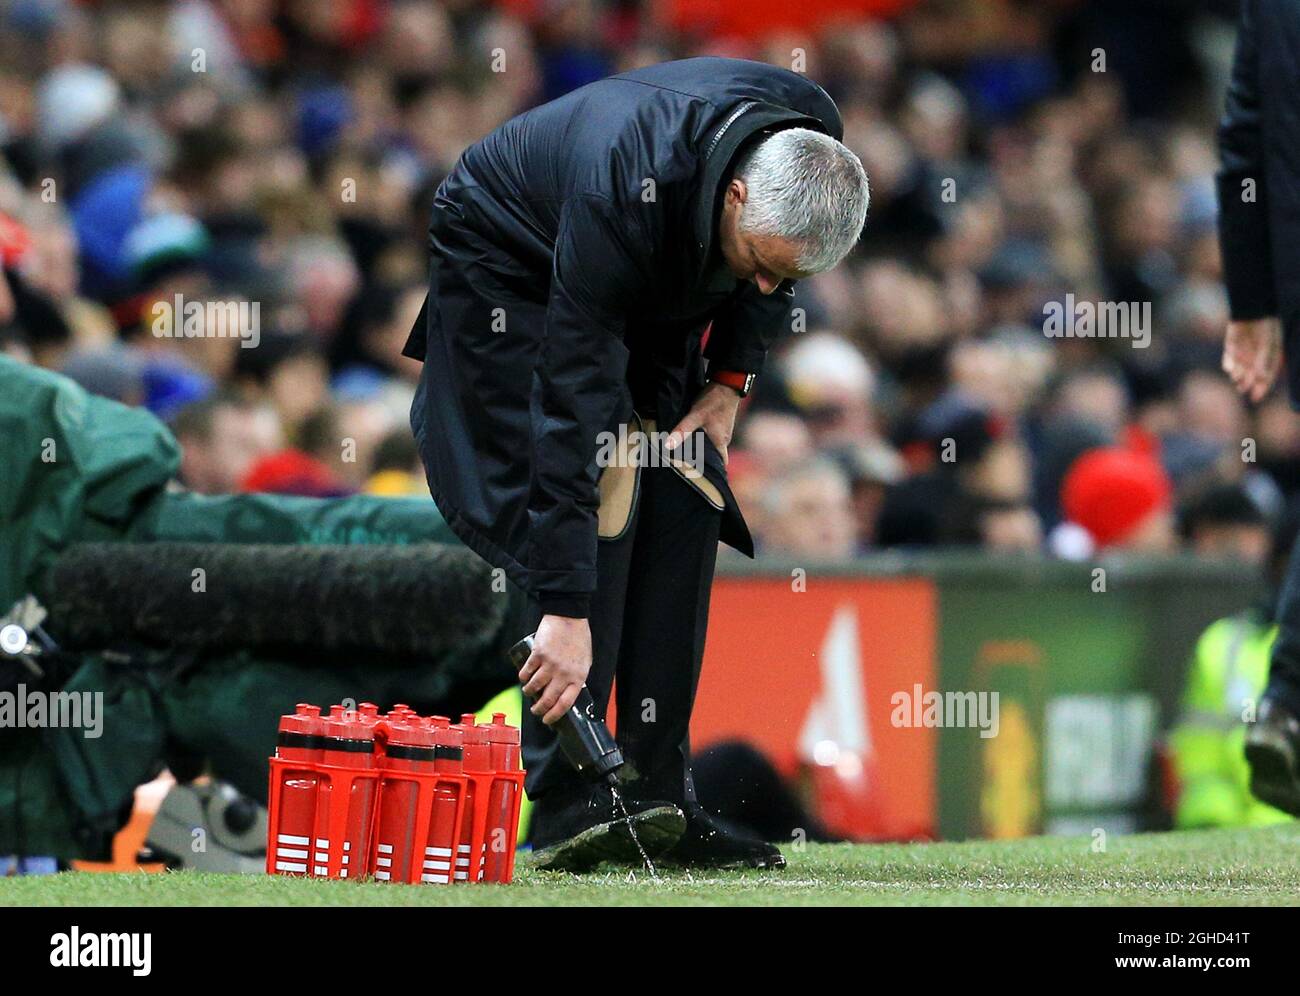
(285, 153)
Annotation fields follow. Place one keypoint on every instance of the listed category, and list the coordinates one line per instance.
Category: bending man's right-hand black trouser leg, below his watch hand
(664, 634)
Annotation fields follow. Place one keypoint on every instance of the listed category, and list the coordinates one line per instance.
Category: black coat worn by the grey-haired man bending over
(587, 228)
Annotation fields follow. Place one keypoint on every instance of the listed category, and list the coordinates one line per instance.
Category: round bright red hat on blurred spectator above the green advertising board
(1111, 492)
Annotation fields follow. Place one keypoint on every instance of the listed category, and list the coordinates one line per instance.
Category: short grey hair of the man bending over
(807, 188)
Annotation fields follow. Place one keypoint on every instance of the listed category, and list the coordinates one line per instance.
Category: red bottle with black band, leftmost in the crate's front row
(294, 786)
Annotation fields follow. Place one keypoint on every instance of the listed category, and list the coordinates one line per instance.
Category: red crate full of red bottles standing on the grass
(400, 798)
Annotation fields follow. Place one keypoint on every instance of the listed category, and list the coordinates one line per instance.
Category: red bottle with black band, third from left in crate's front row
(409, 760)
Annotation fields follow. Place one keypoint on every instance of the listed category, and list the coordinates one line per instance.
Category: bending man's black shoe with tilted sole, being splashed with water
(584, 837)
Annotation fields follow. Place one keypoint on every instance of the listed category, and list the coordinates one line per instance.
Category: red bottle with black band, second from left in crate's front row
(344, 811)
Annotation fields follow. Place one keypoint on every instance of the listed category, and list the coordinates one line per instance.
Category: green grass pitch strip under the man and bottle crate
(1199, 868)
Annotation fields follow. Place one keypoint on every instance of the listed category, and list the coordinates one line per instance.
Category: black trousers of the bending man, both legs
(648, 622)
